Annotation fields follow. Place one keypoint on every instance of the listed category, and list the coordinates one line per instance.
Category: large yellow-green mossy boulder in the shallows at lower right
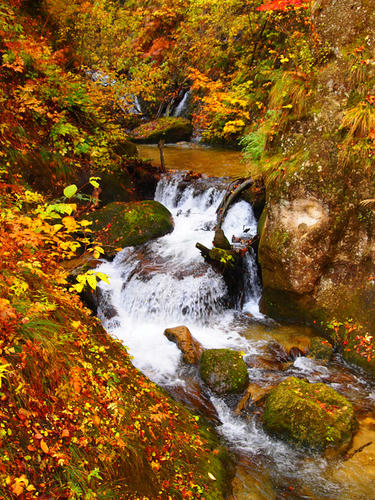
(311, 415)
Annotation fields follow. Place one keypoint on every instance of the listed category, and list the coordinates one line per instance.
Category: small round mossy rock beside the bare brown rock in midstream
(224, 371)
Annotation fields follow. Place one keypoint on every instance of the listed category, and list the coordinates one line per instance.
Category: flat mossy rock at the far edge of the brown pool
(168, 128)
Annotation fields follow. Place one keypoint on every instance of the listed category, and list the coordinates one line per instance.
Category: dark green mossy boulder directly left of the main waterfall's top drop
(120, 224)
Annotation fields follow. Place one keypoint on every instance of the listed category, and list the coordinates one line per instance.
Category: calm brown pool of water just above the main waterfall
(203, 159)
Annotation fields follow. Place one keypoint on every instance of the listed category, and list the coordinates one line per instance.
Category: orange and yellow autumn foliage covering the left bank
(77, 420)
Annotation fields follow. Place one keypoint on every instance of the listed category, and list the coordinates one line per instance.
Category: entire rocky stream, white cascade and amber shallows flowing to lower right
(166, 283)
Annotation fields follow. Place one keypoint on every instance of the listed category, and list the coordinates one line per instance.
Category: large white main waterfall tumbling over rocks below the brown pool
(166, 282)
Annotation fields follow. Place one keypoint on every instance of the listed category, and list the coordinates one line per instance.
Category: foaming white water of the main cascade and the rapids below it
(166, 283)
